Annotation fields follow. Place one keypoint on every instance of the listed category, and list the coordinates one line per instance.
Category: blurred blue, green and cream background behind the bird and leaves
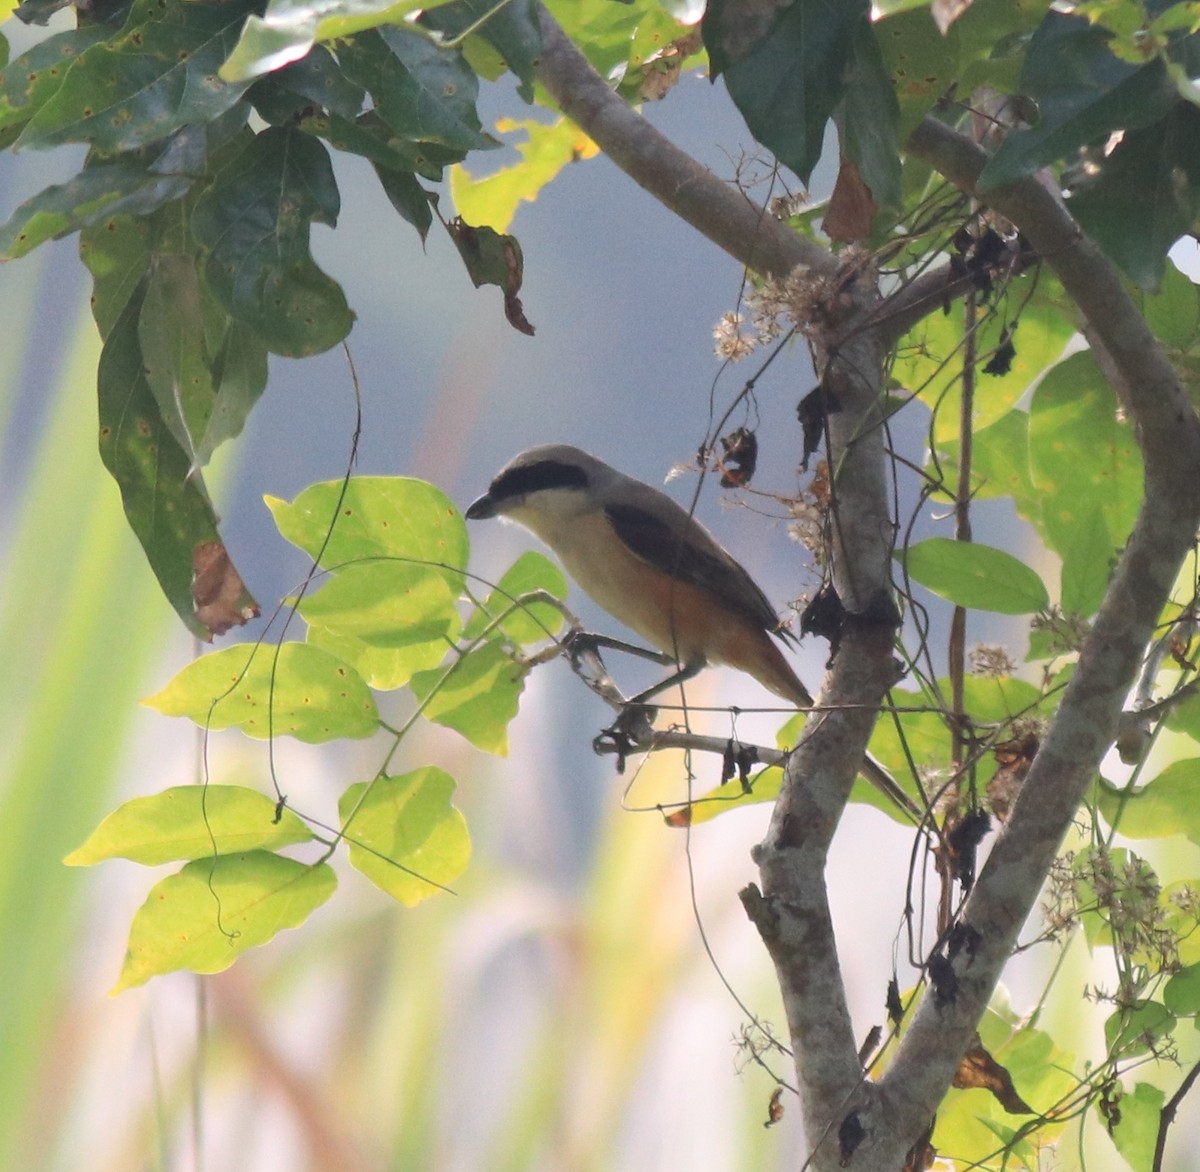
(560, 1012)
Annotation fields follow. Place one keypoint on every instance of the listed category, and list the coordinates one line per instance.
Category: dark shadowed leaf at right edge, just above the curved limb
(1147, 196)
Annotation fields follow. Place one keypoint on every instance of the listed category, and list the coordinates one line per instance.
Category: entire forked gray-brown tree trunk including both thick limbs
(853, 1122)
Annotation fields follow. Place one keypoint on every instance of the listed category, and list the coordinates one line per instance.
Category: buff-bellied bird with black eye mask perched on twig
(643, 558)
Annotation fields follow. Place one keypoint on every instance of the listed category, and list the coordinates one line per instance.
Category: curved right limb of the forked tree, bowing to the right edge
(1088, 718)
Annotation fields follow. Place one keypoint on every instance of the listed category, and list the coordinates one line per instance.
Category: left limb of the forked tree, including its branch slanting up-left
(793, 910)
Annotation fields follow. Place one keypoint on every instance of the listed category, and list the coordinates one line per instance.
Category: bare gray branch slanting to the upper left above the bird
(693, 193)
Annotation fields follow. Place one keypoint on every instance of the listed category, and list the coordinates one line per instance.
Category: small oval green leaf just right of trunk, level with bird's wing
(977, 578)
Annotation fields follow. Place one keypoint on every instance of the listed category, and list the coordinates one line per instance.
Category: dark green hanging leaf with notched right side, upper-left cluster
(255, 223)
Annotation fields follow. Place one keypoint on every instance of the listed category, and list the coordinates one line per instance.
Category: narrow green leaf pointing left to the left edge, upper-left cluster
(100, 191)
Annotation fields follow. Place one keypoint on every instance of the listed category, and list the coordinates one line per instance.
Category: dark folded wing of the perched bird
(692, 556)
